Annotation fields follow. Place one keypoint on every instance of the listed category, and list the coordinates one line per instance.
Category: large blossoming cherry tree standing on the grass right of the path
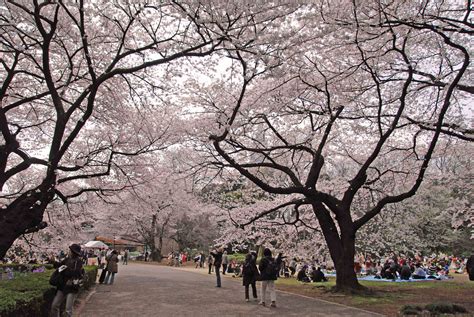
(346, 122)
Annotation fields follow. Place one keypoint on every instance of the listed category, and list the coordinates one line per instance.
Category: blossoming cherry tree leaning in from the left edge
(86, 90)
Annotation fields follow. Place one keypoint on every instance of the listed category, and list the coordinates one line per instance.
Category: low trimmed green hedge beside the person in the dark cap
(31, 295)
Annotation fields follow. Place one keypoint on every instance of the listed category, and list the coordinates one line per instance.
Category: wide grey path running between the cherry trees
(153, 290)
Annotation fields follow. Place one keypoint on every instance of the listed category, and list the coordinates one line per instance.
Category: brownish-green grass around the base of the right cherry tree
(389, 297)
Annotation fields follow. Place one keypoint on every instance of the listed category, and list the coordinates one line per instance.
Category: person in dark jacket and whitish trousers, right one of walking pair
(269, 273)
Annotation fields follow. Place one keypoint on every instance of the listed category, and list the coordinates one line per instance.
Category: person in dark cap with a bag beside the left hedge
(72, 273)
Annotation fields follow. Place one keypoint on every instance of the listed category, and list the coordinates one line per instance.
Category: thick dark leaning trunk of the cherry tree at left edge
(24, 215)
